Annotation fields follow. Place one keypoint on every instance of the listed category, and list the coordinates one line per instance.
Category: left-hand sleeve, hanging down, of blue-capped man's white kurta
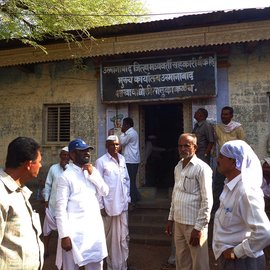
(61, 215)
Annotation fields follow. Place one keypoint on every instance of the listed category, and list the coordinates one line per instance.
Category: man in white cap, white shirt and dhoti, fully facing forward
(112, 168)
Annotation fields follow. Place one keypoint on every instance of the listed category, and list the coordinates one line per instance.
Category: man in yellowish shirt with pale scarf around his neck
(226, 131)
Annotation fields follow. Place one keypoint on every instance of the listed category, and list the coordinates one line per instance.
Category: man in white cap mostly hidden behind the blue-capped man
(49, 193)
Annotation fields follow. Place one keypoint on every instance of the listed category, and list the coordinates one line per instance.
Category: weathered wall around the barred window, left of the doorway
(23, 94)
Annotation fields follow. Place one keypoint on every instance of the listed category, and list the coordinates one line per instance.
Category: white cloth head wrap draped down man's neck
(246, 161)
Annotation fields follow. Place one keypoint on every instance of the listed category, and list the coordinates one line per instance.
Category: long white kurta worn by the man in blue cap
(78, 215)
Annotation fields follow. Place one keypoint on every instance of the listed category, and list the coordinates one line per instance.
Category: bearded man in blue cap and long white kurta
(80, 227)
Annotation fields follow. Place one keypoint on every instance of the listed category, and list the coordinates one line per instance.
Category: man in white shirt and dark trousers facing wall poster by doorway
(129, 141)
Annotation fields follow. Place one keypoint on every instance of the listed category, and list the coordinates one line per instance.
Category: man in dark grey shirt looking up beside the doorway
(205, 135)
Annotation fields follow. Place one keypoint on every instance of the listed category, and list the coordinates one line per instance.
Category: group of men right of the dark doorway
(241, 227)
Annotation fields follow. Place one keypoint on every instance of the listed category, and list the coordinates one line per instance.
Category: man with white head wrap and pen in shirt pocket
(241, 227)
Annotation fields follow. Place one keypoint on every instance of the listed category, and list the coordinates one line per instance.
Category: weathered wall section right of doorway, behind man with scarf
(249, 82)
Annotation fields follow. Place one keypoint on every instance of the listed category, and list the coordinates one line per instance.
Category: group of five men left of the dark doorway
(86, 204)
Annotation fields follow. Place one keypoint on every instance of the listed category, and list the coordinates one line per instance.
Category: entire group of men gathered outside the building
(90, 208)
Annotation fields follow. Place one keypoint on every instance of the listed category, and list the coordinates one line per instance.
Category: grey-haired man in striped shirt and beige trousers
(190, 207)
